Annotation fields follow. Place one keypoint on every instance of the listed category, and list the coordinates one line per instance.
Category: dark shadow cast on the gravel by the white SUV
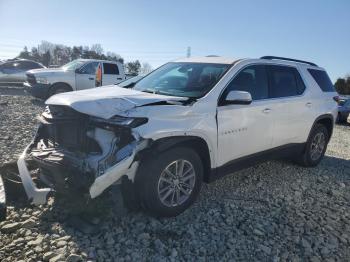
(255, 213)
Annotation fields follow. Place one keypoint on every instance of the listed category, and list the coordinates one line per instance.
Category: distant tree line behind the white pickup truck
(50, 54)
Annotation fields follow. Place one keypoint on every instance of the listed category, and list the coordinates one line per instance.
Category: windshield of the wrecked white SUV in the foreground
(182, 79)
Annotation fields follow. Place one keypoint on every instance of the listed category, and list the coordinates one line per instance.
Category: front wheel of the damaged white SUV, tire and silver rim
(154, 182)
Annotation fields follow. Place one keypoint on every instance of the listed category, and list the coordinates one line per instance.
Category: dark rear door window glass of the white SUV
(285, 81)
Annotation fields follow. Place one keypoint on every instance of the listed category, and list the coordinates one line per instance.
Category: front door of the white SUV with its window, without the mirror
(245, 129)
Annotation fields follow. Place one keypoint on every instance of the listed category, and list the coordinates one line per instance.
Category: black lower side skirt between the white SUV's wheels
(251, 160)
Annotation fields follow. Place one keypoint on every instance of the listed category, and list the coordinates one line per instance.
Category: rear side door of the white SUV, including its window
(290, 105)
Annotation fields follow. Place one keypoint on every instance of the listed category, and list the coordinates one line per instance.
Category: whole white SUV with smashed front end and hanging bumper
(189, 121)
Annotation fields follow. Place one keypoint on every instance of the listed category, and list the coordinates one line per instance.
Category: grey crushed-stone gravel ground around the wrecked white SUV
(276, 211)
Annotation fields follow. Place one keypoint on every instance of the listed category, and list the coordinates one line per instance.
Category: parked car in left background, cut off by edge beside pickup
(14, 72)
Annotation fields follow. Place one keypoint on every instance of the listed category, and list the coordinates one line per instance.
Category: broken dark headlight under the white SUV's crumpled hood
(120, 121)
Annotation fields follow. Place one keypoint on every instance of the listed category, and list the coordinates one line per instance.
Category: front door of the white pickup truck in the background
(85, 77)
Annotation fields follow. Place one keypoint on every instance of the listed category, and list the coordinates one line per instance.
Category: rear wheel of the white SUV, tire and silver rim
(316, 147)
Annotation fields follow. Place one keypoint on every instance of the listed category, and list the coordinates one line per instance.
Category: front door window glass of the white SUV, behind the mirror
(252, 79)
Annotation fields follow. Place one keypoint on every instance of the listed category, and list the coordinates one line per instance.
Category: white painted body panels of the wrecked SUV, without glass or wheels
(230, 132)
